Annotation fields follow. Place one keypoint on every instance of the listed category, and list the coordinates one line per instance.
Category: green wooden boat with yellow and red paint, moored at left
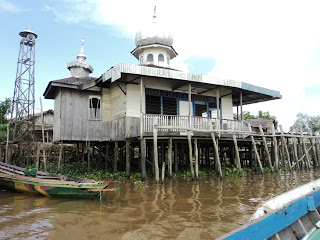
(50, 185)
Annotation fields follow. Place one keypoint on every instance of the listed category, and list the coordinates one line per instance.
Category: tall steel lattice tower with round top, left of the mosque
(23, 102)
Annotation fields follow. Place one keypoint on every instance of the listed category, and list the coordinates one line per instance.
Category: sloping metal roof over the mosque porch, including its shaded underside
(200, 83)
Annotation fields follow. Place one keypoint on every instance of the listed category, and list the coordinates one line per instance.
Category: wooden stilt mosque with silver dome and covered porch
(149, 105)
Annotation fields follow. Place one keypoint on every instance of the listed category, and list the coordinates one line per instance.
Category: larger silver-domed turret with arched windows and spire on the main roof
(154, 45)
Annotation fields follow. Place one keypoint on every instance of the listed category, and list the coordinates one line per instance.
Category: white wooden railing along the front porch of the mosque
(197, 123)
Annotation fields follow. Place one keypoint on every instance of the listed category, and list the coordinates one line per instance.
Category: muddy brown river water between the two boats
(178, 209)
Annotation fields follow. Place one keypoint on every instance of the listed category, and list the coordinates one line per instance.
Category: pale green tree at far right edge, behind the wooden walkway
(307, 123)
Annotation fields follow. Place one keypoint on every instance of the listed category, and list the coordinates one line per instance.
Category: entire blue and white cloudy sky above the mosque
(273, 44)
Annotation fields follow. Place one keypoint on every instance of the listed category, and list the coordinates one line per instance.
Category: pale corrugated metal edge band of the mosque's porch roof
(115, 74)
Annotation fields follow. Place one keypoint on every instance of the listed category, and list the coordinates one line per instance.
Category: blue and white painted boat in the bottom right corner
(291, 215)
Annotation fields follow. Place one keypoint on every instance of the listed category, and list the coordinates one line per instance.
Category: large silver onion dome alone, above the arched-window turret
(154, 33)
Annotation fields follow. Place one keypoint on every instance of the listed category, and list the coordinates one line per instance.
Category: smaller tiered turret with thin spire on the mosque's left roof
(80, 68)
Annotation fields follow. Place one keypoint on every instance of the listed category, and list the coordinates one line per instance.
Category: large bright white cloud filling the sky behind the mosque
(274, 44)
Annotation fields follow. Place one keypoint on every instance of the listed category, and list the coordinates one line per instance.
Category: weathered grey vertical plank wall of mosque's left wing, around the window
(75, 125)
